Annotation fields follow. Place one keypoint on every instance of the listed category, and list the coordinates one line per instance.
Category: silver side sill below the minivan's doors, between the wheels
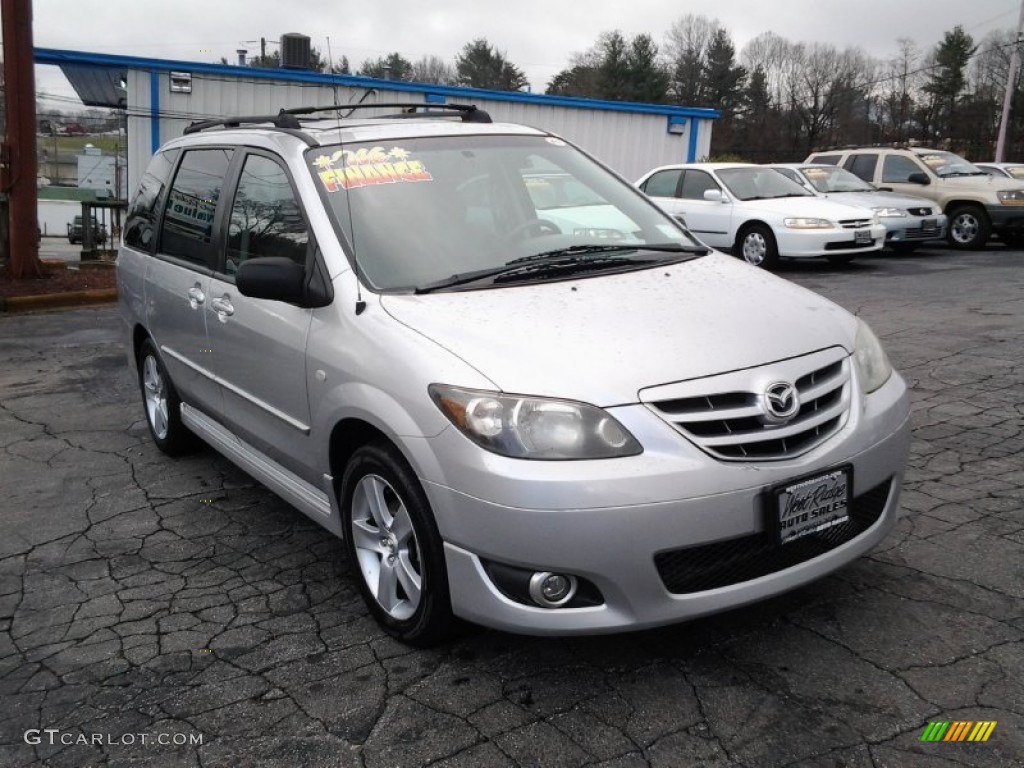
(310, 500)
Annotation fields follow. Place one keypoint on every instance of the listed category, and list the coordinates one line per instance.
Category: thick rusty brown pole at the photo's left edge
(19, 152)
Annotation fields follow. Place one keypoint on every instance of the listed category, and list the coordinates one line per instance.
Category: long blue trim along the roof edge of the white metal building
(58, 57)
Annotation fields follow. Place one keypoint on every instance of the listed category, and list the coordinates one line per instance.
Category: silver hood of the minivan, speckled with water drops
(604, 338)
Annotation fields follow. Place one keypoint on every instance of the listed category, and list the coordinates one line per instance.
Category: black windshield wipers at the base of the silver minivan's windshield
(574, 259)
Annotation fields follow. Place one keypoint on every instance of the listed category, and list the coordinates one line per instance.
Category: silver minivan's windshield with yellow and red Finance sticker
(436, 212)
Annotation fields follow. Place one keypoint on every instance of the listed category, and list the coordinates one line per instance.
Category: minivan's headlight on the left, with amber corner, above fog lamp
(523, 428)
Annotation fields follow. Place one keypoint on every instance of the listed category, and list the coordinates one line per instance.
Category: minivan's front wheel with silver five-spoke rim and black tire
(395, 548)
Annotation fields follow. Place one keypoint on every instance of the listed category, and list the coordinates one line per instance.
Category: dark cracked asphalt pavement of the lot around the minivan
(174, 613)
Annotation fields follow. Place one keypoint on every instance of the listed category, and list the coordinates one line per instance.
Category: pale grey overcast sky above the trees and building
(538, 36)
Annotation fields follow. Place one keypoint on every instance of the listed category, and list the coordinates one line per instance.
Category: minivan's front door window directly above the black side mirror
(267, 220)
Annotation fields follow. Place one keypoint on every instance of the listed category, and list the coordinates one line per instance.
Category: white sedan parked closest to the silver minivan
(760, 215)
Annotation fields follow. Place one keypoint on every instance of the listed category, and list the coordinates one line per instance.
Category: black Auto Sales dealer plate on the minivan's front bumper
(812, 505)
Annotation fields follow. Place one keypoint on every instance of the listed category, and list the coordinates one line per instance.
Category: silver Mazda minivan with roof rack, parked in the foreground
(520, 393)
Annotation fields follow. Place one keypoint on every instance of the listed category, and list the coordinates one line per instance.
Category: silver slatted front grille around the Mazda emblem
(735, 424)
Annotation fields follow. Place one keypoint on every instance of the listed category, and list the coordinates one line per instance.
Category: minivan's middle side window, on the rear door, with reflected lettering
(192, 204)
